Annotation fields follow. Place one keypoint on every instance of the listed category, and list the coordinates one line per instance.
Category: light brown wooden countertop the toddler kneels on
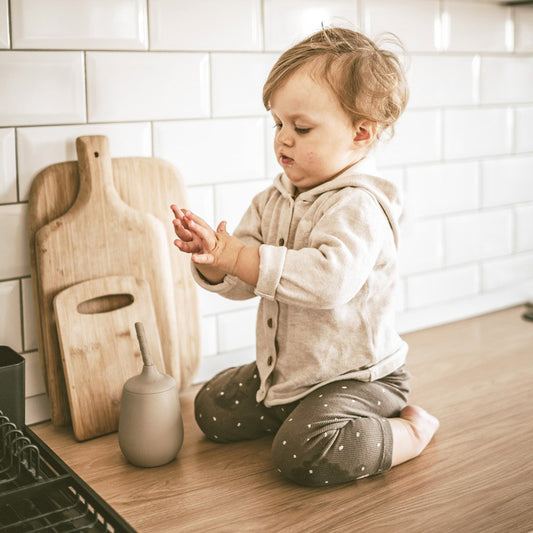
(475, 476)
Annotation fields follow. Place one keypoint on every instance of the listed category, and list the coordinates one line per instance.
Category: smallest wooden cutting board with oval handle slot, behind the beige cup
(99, 349)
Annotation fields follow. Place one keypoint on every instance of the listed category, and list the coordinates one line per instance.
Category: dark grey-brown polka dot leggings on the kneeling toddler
(335, 434)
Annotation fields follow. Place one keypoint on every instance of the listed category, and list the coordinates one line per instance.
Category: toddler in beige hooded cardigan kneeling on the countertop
(319, 247)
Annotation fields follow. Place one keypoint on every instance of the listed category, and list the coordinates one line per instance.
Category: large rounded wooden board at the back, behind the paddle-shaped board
(147, 185)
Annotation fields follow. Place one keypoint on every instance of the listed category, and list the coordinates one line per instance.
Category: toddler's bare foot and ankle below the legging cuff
(411, 432)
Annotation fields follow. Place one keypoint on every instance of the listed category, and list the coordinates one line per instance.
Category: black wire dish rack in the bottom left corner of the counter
(39, 492)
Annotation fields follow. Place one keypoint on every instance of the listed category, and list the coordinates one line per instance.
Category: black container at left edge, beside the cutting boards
(12, 386)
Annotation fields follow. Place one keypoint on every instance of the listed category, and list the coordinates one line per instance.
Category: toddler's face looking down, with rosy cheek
(315, 138)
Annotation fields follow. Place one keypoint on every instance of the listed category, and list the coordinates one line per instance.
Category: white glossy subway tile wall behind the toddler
(182, 80)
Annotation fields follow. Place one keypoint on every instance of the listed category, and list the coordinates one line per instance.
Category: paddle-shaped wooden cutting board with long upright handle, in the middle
(99, 235)
